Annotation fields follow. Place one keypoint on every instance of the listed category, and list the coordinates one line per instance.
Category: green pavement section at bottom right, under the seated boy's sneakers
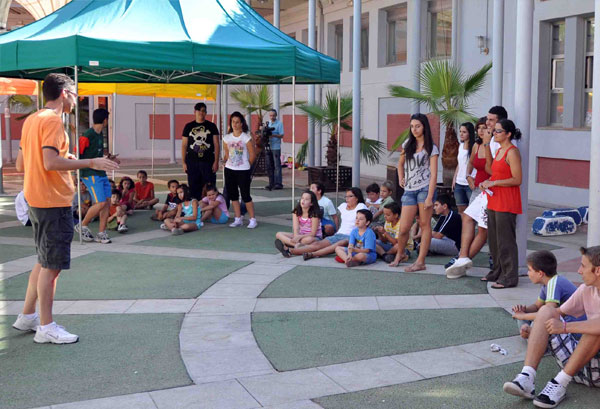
(475, 389)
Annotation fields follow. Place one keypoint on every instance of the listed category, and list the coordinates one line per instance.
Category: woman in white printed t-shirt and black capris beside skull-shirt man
(239, 157)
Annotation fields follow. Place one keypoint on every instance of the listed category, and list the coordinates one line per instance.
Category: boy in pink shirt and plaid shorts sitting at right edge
(579, 358)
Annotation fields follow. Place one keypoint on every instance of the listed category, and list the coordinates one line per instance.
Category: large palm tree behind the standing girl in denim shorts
(445, 90)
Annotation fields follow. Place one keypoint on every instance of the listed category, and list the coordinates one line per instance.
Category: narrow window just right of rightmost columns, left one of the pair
(557, 75)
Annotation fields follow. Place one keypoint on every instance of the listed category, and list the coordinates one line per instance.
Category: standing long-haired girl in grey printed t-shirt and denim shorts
(417, 174)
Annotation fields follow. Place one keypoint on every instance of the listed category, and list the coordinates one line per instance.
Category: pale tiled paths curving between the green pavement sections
(223, 359)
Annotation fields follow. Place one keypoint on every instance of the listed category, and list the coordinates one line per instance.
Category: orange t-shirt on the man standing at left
(43, 188)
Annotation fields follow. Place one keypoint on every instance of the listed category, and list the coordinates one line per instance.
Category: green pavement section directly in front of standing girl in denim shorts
(340, 282)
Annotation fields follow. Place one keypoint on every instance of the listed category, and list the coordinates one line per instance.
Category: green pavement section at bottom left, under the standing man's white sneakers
(116, 355)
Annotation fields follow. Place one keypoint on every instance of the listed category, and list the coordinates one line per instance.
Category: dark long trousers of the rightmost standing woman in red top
(502, 240)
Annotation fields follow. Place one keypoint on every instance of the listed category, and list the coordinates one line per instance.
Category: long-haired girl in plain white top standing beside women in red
(460, 185)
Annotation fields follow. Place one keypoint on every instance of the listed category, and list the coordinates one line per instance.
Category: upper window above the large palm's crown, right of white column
(439, 29)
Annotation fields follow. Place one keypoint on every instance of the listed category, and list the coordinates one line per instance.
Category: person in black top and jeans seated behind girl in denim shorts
(445, 238)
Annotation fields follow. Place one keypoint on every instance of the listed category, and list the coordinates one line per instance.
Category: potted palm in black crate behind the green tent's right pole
(327, 116)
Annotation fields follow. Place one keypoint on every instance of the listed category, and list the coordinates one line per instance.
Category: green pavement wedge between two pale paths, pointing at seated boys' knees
(300, 340)
